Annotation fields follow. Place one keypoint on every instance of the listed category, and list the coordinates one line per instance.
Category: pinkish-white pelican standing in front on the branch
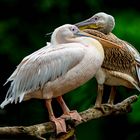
(67, 62)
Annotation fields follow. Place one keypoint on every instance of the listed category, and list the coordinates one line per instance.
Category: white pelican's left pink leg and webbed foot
(59, 122)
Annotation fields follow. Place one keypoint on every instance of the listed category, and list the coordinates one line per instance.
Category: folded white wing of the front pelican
(42, 66)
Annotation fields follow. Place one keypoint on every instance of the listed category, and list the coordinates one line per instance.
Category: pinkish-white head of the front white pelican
(66, 34)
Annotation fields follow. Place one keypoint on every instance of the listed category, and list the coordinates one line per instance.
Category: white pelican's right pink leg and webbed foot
(67, 113)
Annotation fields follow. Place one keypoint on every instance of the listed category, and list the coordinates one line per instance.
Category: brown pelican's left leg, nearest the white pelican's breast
(99, 96)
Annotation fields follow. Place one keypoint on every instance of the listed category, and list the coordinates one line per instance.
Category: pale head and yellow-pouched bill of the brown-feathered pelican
(100, 21)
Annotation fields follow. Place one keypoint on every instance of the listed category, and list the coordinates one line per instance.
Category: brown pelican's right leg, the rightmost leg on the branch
(112, 95)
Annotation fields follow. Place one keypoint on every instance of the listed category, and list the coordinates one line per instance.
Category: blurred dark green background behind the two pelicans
(23, 25)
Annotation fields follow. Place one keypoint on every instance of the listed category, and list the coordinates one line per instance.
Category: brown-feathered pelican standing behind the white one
(121, 66)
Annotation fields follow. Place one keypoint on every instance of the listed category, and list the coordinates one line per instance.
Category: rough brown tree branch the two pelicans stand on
(92, 113)
